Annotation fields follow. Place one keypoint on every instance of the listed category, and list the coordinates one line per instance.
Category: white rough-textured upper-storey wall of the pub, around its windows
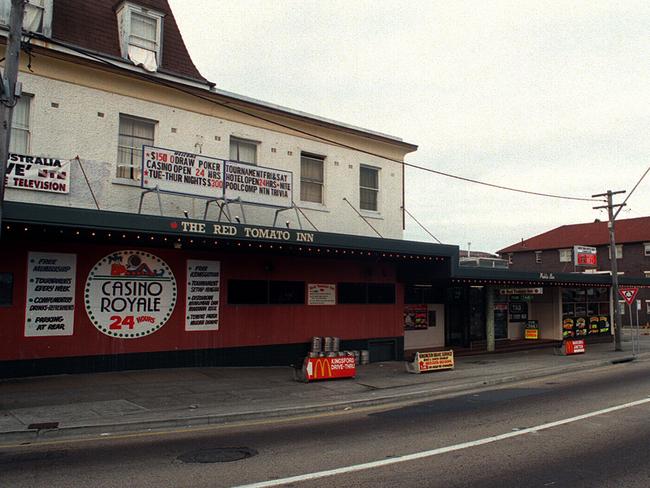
(76, 129)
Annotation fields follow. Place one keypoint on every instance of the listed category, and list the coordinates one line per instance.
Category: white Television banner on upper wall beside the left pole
(38, 174)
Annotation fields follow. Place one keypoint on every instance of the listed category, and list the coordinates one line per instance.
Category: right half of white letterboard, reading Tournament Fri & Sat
(256, 184)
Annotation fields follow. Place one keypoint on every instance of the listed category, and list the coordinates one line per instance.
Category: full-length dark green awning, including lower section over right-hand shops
(26, 220)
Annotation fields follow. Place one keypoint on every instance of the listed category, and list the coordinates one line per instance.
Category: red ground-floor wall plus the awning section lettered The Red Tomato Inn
(86, 290)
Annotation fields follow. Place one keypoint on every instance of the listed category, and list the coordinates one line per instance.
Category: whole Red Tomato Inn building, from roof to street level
(152, 219)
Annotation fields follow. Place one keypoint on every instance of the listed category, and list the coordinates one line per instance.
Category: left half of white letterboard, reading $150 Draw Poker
(181, 172)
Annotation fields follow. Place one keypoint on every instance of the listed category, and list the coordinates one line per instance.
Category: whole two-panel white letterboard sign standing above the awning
(201, 176)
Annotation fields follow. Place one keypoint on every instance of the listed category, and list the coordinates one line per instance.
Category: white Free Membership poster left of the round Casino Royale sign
(50, 294)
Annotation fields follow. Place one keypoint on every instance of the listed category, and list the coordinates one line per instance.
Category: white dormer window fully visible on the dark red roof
(140, 35)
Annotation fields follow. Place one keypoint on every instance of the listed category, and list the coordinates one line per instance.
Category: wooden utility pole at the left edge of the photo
(9, 92)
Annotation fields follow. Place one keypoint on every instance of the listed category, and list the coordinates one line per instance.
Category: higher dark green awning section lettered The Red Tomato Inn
(24, 220)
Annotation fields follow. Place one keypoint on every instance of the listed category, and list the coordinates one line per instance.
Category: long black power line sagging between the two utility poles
(174, 86)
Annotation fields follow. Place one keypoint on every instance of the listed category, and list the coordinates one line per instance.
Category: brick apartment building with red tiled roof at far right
(553, 251)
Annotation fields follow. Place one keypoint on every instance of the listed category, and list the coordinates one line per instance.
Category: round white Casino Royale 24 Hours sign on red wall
(130, 294)
